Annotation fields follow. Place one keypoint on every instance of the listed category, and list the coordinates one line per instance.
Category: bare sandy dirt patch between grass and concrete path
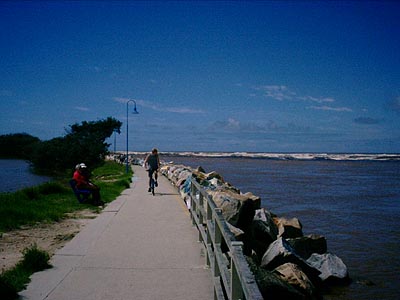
(48, 237)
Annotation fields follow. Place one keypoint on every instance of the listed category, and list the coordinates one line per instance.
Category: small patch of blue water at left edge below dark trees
(15, 174)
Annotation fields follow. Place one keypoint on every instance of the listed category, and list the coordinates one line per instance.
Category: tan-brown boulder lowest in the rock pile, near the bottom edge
(293, 275)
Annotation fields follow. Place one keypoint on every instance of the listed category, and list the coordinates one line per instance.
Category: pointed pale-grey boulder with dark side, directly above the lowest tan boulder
(280, 252)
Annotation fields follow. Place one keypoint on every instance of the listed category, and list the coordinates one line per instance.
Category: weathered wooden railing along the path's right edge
(233, 279)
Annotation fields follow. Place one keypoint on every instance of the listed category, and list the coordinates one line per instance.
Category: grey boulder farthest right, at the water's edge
(331, 267)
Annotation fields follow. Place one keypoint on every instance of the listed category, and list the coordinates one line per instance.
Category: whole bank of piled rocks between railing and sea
(286, 263)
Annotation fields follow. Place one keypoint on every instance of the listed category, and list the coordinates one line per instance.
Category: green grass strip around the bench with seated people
(51, 201)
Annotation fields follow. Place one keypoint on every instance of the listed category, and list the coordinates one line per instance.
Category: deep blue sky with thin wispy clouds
(273, 76)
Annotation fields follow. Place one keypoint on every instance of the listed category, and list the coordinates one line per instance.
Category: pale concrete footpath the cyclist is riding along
(140, 247)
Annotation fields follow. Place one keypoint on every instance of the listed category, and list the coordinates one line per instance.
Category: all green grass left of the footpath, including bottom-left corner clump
(49, 202)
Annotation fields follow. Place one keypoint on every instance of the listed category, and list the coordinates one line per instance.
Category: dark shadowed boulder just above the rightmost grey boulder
(307, 245)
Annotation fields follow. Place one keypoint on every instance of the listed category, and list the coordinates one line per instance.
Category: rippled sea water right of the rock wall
(355, 204)
